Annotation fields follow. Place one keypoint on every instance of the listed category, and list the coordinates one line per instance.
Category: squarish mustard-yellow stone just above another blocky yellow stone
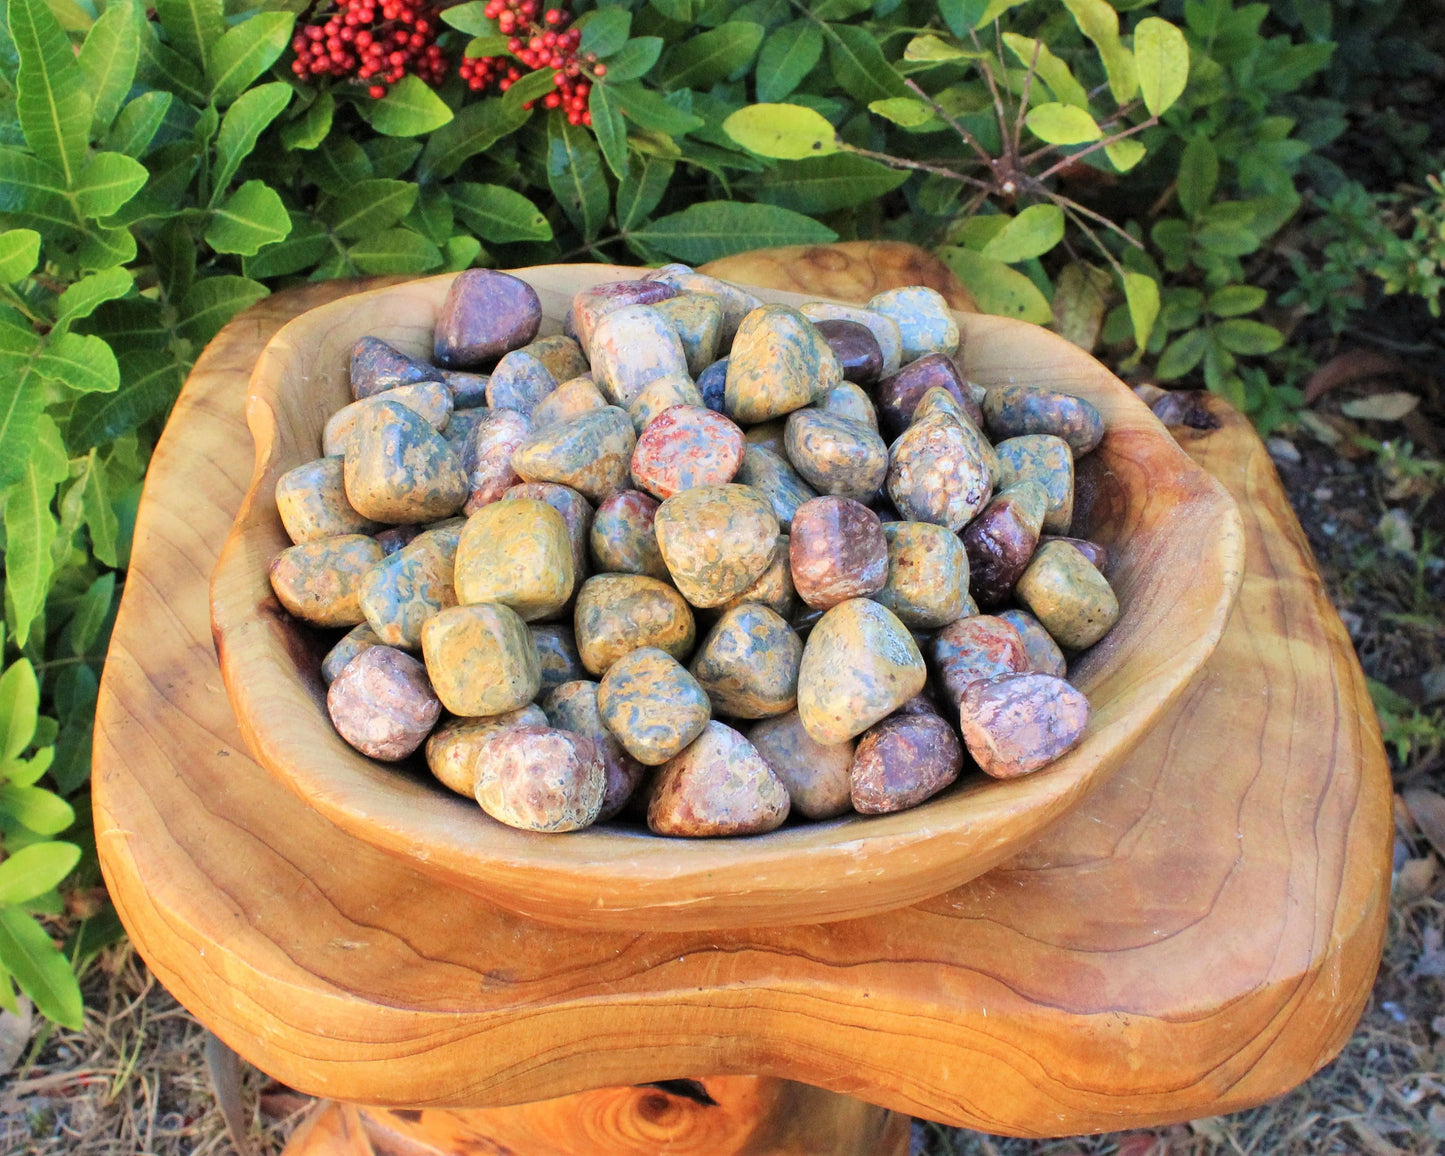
(515, 553)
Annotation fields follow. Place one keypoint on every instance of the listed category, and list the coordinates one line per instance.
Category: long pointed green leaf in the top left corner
(51, 99)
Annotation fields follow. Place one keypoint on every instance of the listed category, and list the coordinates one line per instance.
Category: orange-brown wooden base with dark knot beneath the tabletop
(719, 1116)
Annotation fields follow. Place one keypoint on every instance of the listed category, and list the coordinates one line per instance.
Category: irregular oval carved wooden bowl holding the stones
(1177, 554)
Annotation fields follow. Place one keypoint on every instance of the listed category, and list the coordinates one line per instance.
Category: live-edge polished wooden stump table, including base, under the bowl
(1200, 936)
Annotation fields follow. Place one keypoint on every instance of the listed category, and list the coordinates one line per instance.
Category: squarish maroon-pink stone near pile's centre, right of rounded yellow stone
(837, 551)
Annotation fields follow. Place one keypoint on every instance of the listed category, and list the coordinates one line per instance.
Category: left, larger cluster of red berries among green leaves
(378, 41)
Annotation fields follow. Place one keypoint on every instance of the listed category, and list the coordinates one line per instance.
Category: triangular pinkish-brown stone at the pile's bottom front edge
(720, 785)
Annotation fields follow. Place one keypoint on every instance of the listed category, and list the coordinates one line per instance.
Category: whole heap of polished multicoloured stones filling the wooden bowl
(531, 535)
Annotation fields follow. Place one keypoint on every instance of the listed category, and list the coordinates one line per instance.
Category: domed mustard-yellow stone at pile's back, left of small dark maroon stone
(778, 365)
